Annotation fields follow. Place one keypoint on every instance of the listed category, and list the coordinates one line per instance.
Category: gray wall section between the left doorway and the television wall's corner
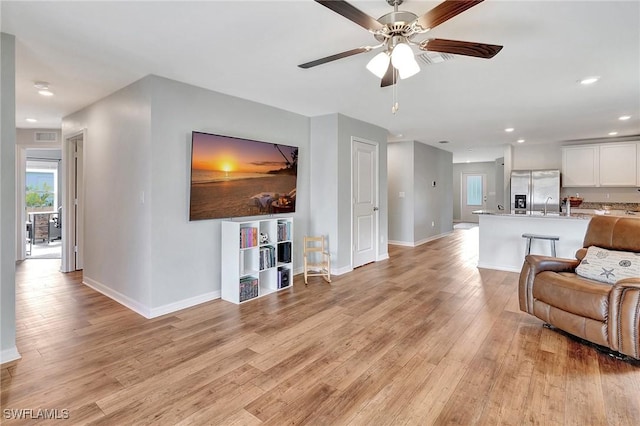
(117, 171)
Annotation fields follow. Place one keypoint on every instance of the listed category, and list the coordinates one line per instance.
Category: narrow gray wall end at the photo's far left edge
(8, 350)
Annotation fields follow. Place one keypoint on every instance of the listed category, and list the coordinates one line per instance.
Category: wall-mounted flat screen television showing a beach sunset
(234, 177)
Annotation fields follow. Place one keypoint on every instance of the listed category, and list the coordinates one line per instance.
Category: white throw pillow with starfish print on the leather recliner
(609, 266)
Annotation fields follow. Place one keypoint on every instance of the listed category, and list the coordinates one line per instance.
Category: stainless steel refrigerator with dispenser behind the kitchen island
(531, 189)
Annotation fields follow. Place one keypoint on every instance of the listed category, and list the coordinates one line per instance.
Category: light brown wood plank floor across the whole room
(423, 338)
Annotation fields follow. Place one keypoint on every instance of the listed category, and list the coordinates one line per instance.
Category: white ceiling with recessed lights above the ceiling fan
(251, 49)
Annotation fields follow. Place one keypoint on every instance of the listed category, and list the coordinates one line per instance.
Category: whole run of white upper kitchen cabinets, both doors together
(611, 164)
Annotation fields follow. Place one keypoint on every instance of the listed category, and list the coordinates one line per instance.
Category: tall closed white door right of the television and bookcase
(365, 202)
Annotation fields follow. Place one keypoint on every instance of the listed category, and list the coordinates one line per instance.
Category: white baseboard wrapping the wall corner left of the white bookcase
(147, 311)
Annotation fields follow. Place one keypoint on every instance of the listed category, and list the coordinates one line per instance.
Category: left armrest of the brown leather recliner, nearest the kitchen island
(533, 265)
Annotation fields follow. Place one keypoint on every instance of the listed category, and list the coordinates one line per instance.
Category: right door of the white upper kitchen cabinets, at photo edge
(618, 164)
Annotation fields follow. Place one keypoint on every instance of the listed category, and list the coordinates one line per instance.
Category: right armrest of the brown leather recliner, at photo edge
(624, 317)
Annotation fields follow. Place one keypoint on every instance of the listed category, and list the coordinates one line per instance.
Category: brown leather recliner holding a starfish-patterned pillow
(605, 314)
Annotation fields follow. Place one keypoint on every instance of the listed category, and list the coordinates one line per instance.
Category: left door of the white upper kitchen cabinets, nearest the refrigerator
(580, 165)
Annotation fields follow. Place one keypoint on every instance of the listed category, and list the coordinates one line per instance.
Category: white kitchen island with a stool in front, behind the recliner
(502, 247)
